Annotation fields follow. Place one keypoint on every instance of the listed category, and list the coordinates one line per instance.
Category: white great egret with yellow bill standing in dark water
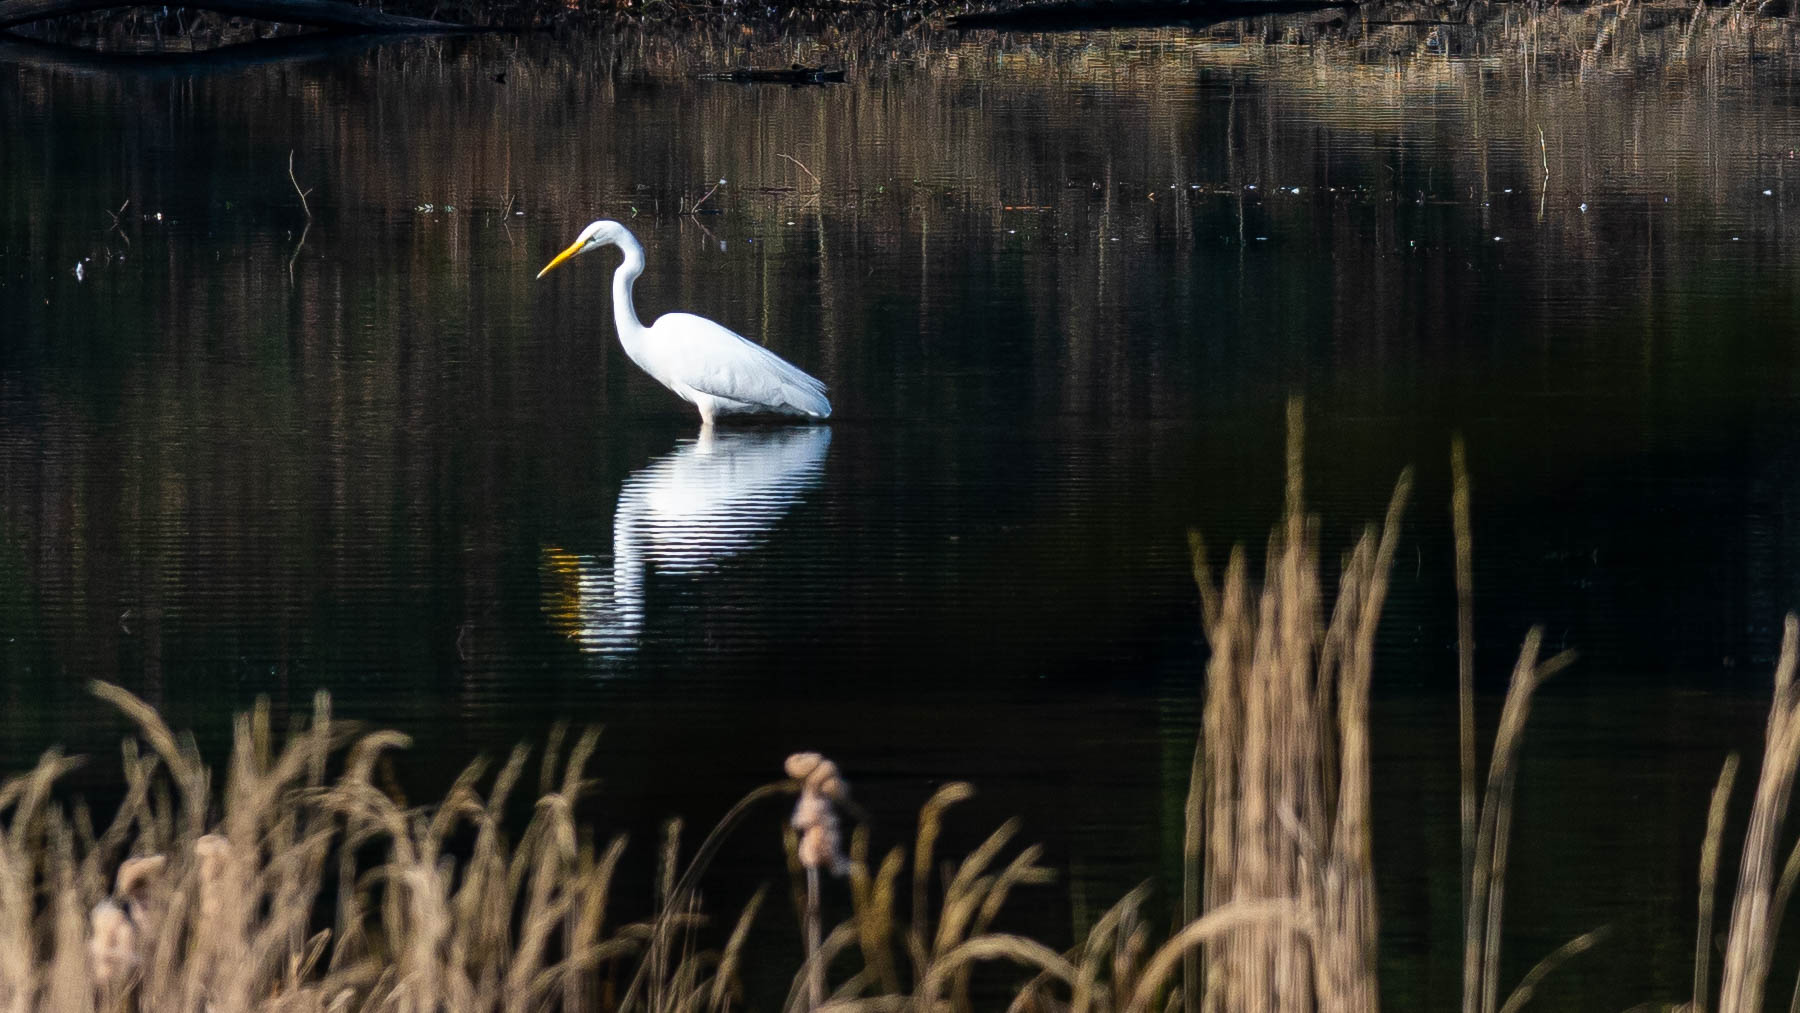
(717, 370)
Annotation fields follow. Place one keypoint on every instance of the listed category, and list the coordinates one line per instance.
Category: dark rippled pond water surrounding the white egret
(1061, 289)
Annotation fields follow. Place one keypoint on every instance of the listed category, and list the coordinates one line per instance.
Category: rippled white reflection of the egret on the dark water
(683, 514)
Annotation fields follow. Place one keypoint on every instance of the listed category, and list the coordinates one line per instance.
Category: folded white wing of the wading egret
(715, 361)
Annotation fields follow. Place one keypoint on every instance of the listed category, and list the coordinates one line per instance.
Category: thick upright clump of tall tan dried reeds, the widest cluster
(1282, 769)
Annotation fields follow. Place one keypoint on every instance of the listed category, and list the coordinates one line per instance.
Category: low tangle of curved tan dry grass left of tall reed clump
(303, 886)
